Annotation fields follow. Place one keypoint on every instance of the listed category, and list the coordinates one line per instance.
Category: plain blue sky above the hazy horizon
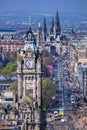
(45, 6)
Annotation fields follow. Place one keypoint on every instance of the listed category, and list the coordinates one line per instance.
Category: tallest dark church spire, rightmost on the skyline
(57, 24)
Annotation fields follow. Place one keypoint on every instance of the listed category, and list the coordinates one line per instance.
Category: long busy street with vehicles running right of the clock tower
(63, 100)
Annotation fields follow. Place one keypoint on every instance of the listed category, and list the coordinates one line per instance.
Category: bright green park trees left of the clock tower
(9, 65)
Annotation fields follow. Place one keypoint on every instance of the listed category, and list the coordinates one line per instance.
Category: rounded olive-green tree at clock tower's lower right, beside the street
(48, 90)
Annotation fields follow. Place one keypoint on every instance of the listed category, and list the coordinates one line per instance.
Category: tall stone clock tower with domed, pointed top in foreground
(29, 72)
